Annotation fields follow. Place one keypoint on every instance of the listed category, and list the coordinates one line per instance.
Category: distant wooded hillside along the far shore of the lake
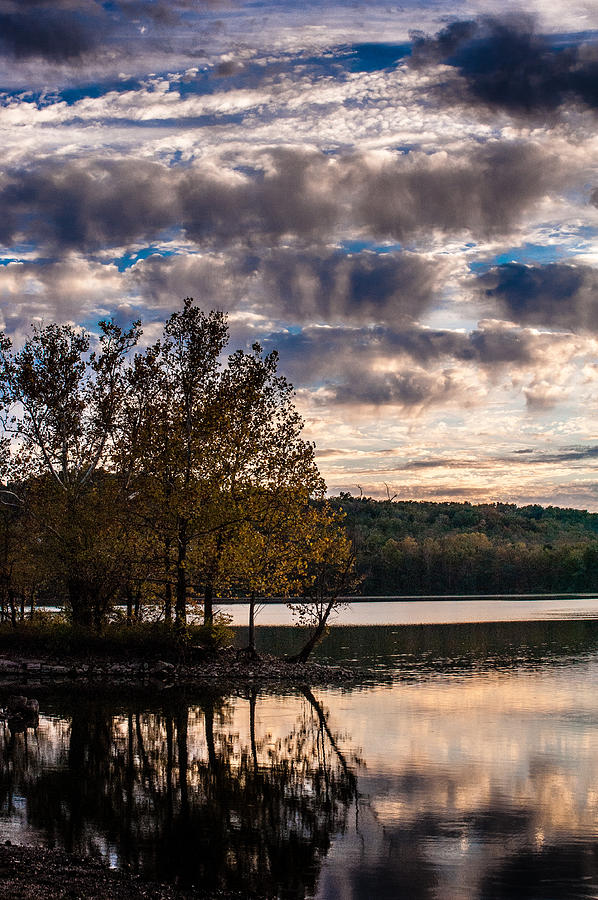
(409, 547)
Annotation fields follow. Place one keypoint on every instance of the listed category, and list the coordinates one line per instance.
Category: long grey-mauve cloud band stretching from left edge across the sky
(290, 193)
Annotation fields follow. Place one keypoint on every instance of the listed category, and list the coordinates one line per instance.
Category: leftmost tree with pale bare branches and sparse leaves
(59, 403)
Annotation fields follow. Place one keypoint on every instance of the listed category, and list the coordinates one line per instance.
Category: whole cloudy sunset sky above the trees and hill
(402, 199)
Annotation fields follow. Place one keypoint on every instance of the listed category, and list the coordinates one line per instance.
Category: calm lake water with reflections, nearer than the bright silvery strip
(465, 766)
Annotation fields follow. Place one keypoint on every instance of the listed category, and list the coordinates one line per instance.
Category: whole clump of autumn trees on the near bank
(158, 481)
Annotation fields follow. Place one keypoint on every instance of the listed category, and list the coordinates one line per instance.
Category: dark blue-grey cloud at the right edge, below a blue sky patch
(556, 295)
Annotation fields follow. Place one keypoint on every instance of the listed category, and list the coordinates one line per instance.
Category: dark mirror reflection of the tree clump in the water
(185, 795)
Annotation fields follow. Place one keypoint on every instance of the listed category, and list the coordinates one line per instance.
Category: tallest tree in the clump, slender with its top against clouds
(168, 439)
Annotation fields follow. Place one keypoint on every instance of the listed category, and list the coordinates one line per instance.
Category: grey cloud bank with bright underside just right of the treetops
(410, 367)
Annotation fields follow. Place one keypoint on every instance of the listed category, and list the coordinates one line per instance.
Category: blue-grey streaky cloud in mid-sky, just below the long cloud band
(361, 287)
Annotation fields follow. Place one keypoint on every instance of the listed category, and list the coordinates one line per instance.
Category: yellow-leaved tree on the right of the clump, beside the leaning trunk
(268, 475)
